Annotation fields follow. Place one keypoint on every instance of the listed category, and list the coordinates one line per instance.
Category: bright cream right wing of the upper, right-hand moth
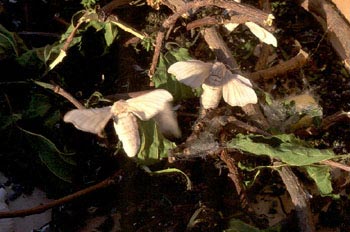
(238, 91)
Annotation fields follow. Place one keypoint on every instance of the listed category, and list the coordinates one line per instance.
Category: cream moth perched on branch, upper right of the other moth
(216, 81)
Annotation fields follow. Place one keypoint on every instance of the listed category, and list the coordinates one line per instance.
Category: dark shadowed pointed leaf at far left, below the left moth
(50, 155)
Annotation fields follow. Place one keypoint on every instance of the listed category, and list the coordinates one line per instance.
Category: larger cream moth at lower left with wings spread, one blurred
(155, 104)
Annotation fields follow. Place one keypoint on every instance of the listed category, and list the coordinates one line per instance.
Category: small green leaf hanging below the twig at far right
(321, 176)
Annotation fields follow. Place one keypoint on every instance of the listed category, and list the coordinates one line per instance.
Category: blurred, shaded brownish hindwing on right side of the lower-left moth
(167, 122)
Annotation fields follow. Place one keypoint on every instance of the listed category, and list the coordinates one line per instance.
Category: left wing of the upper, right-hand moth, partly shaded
(191, 73)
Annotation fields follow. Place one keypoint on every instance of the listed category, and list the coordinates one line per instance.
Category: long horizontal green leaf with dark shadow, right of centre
(286, 148)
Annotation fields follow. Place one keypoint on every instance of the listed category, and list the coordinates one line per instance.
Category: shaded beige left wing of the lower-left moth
(89, 120)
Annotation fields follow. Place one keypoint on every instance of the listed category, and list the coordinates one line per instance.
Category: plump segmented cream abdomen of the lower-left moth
(126, 127)
